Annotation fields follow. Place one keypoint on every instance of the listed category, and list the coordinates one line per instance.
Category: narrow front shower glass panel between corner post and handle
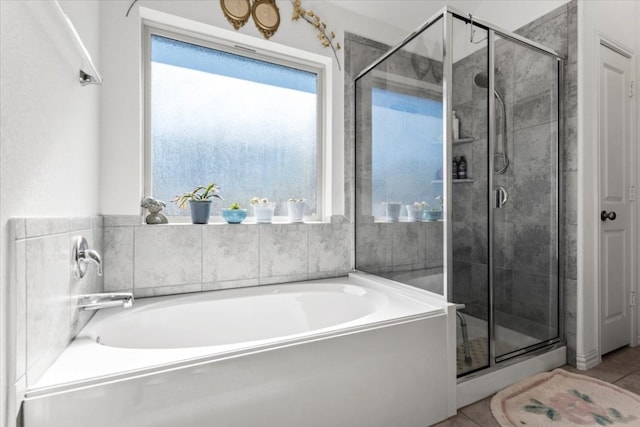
(470, 209)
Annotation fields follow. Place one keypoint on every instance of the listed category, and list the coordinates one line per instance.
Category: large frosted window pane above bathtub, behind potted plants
(249, 125)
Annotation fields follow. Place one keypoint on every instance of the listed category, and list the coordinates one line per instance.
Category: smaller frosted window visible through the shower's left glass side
(406, 149)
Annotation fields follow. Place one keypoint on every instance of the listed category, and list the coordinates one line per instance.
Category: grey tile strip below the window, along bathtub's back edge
(151, 260)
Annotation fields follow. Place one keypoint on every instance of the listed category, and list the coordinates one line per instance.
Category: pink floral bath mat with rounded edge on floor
(560, 398)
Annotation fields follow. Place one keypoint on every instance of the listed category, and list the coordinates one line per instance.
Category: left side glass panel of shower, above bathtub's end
(399, 152)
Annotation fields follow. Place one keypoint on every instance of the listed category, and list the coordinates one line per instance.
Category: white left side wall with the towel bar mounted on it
(50, 130)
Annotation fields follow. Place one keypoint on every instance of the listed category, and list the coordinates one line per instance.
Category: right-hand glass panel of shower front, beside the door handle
(526, 303)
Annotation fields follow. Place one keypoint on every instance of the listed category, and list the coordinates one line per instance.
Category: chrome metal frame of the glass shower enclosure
(447, 14)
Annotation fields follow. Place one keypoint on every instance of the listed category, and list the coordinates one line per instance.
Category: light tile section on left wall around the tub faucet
(45, 314)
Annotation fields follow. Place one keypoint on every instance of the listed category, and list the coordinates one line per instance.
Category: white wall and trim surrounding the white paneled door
(619, 21)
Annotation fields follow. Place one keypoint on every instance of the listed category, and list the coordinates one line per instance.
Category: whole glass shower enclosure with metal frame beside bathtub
(457, 183)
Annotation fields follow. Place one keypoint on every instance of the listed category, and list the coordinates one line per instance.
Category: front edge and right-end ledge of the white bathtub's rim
(438, 307)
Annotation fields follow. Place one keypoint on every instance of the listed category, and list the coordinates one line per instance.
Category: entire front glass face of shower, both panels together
(505, 206)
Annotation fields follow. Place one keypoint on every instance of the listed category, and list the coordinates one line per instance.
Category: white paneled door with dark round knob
(615, 209)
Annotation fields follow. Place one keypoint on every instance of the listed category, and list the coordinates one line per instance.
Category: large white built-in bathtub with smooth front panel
(342, 352)
